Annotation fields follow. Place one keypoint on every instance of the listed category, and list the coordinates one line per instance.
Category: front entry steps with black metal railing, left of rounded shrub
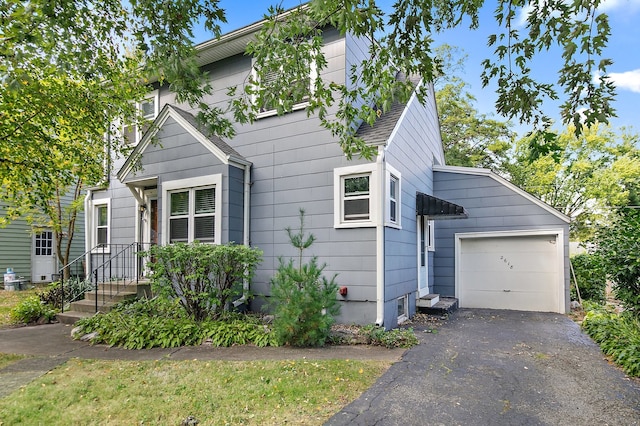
(108, 295)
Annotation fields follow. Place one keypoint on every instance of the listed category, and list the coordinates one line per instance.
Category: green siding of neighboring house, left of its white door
(15, 247)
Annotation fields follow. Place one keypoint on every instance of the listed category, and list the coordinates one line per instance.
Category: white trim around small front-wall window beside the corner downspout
(338, 202)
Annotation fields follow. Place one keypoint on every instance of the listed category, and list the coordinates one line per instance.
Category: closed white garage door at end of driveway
(518, 272)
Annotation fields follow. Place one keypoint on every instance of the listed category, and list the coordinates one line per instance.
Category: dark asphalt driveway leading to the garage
(490, 367)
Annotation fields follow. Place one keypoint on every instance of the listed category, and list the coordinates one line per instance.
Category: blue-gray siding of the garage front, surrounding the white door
(491, 206)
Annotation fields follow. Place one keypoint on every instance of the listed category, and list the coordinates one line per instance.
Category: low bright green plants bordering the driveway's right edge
(618, 336)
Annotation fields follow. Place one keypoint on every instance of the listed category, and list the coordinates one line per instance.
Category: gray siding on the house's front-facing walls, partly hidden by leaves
(292, 159)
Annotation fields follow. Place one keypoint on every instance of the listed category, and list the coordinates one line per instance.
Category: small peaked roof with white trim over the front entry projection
(225, 153)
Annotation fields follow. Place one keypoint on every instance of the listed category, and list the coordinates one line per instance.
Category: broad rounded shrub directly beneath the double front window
(203, 277)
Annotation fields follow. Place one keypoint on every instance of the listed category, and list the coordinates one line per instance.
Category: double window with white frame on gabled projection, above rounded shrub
(192, 209)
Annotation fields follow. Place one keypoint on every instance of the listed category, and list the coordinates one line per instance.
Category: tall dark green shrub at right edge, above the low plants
(618, 250)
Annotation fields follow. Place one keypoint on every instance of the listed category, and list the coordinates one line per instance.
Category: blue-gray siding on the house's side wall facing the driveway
(412, 151)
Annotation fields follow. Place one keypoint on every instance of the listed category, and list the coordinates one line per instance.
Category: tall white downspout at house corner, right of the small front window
(380, 170)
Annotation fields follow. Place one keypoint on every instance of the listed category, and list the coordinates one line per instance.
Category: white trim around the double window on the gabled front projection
(191, 183)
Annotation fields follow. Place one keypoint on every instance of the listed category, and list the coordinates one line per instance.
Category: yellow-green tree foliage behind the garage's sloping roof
(582, 176)
